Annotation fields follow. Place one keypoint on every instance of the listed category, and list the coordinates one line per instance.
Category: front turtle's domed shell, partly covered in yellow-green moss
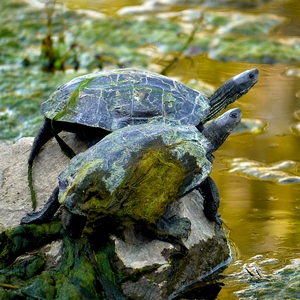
(118, 163)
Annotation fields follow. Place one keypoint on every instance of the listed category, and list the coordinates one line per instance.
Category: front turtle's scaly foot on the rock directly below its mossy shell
(175, 226)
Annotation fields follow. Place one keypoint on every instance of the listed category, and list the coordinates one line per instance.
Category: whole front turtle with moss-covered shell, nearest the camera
(132, 174)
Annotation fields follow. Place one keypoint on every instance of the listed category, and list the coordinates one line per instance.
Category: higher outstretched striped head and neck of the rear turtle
(231, 90)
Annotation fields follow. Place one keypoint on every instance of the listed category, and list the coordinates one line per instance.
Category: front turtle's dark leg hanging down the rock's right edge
(209, 191)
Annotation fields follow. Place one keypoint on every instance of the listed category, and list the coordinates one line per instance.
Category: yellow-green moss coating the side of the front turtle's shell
(141, 196)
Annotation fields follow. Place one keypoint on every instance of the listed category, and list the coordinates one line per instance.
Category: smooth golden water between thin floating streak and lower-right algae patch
(261, 216)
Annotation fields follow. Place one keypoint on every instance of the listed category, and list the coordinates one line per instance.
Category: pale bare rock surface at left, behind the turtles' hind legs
(14, 191)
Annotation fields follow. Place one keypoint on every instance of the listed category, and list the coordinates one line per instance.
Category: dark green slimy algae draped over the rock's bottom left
(79, 276)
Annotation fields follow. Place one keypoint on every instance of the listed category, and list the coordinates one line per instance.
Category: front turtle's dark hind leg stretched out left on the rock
(46, 213)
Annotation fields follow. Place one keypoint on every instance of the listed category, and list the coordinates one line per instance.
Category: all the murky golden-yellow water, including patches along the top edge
(260, 203)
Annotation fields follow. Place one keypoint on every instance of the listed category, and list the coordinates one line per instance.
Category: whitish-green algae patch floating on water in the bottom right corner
(264, 277)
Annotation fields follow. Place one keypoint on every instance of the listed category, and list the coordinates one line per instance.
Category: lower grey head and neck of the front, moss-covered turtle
(219, 129)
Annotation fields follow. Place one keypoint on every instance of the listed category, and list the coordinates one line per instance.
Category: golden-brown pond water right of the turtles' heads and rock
(261, 214)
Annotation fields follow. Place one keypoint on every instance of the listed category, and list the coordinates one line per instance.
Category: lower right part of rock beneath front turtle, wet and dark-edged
(206, 250)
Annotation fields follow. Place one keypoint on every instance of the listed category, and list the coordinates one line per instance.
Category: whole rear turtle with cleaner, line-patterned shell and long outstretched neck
(96, 104)
